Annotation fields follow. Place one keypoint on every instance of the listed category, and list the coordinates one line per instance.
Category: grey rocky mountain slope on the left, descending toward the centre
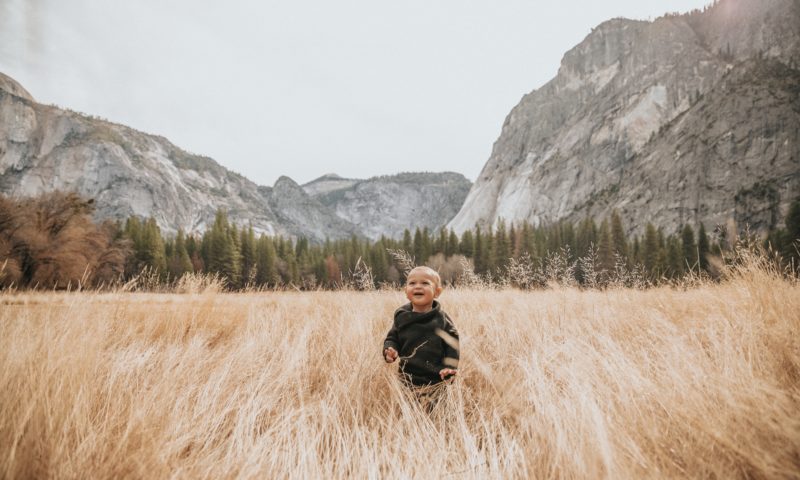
(44, 148)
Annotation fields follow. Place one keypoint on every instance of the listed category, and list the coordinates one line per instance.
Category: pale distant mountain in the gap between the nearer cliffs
(387, 205)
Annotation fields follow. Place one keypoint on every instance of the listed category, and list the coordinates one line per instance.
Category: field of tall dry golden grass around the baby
(554, 384)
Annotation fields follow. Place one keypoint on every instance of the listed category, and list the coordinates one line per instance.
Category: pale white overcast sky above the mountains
(304, 87)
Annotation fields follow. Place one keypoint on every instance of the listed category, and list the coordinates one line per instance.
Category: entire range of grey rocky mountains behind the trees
(689, 118)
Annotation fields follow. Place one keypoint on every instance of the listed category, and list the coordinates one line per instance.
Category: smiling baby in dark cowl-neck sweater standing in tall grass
(422, 335)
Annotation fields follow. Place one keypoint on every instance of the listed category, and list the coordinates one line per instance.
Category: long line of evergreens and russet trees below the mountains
(51, 242)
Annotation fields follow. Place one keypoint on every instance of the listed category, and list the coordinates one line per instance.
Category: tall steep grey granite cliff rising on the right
(689, 118)
